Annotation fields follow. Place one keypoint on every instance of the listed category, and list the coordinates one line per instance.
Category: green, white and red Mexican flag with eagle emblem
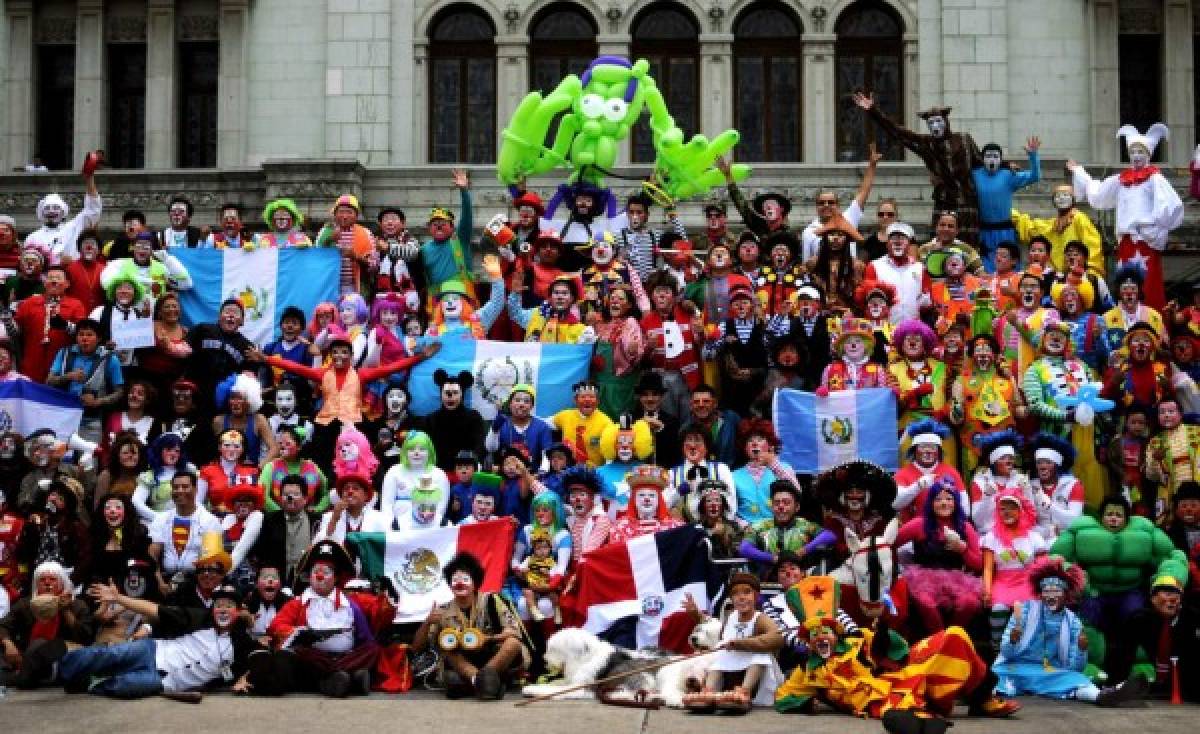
(413, 561)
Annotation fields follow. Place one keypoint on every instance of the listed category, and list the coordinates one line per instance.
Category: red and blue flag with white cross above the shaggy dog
(633, 593)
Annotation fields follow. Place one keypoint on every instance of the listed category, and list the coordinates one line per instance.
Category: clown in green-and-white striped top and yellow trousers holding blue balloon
(1053, 377)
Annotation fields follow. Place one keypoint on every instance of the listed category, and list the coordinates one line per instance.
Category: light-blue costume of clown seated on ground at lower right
(1047, 660)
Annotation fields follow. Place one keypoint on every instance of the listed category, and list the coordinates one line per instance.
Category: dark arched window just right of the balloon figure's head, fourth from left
(767, 85)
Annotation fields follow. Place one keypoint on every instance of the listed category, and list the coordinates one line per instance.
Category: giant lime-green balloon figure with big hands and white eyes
(597, 115)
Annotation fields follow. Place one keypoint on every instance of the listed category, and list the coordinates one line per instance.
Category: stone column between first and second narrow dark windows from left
(91, 105)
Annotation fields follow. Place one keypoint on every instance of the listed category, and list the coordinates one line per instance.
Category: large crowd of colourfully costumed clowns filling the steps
(1046, 515)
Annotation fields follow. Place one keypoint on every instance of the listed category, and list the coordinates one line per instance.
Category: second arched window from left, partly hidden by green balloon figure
(563, 41)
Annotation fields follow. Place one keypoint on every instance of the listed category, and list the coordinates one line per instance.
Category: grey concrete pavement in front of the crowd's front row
(53, 712)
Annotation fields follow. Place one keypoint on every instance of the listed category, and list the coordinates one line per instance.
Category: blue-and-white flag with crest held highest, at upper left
(266, 281)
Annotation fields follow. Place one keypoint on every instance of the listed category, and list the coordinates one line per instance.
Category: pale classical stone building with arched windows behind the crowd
(263, 98)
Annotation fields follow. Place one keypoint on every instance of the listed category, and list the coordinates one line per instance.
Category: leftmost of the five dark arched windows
(463, 87)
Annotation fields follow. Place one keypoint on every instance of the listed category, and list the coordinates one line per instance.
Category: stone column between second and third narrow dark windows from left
(163, 111)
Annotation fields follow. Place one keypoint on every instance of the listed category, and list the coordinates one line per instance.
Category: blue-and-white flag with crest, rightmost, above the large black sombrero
(823, 432)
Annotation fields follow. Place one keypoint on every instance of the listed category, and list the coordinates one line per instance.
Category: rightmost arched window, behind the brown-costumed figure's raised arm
(871, 57)
